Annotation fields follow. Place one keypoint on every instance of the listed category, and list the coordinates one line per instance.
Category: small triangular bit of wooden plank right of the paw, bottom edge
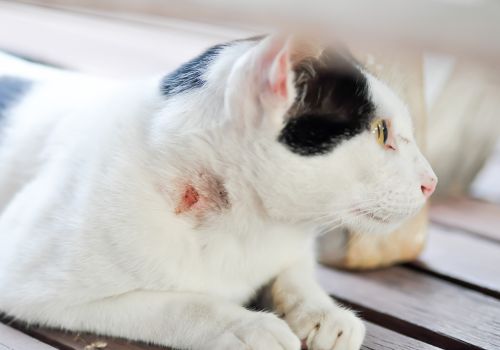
(378, 338)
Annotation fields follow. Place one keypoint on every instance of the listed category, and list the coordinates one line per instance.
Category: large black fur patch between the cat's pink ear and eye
(333, 104)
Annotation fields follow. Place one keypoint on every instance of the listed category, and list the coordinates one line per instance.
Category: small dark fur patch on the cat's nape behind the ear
(190, 75)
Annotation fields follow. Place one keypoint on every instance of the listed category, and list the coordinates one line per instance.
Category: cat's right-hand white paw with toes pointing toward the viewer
(331, 328)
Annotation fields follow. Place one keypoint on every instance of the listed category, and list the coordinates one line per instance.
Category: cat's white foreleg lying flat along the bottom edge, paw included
(179, 320)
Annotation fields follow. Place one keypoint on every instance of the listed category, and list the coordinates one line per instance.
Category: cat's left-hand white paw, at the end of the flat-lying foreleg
(262, 331)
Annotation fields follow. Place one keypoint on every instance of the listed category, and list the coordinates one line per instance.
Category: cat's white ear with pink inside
(262, 80)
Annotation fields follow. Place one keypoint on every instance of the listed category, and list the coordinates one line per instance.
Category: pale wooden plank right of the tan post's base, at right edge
(462, 257)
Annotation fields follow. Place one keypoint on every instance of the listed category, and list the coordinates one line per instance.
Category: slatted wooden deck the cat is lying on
(449, 298)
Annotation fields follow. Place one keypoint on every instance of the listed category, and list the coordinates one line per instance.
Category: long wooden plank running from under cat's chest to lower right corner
(417, 305)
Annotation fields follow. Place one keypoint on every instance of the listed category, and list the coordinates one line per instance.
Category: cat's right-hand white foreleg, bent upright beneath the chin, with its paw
(311, 313)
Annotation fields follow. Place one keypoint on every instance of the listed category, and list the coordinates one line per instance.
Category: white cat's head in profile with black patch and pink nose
(318, 138)
